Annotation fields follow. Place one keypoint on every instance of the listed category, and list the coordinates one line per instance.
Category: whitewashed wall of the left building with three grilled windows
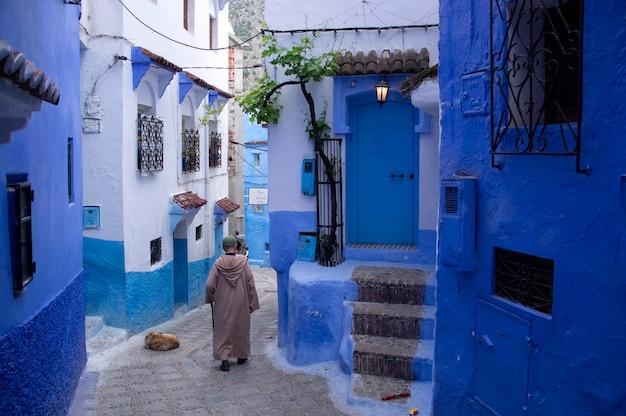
(135, 208)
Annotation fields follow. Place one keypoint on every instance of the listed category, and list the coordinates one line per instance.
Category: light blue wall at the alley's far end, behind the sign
(255, 176)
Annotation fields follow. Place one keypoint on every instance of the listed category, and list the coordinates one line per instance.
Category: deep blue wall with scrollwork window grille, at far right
(572, 361)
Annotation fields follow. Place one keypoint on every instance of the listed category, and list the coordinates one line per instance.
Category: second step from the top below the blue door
(393, 320)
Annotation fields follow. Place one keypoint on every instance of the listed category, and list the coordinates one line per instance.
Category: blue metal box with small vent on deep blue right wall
(457, 228)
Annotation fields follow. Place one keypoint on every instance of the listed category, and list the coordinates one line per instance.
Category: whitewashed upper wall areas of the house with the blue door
(288, 141)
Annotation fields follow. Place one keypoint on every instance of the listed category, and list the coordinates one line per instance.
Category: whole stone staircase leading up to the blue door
(393, 325)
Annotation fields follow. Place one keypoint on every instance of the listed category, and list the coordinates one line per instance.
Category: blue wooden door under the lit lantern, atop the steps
(385, 176)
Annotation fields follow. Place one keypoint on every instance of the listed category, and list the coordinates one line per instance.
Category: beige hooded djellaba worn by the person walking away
(230, 288)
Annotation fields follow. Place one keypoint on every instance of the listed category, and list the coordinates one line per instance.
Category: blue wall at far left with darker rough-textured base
(42, 330)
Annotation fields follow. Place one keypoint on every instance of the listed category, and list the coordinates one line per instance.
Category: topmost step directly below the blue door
(394, 285)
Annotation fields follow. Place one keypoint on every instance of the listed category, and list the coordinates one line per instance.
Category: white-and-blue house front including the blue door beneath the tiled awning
(381, 221)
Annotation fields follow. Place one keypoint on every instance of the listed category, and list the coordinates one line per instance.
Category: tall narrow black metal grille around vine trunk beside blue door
(329, 214)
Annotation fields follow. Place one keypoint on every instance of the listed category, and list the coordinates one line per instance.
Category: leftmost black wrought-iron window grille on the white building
(150, 140)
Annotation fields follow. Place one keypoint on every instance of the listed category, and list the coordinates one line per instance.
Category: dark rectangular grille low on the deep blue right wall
(524, 279)
